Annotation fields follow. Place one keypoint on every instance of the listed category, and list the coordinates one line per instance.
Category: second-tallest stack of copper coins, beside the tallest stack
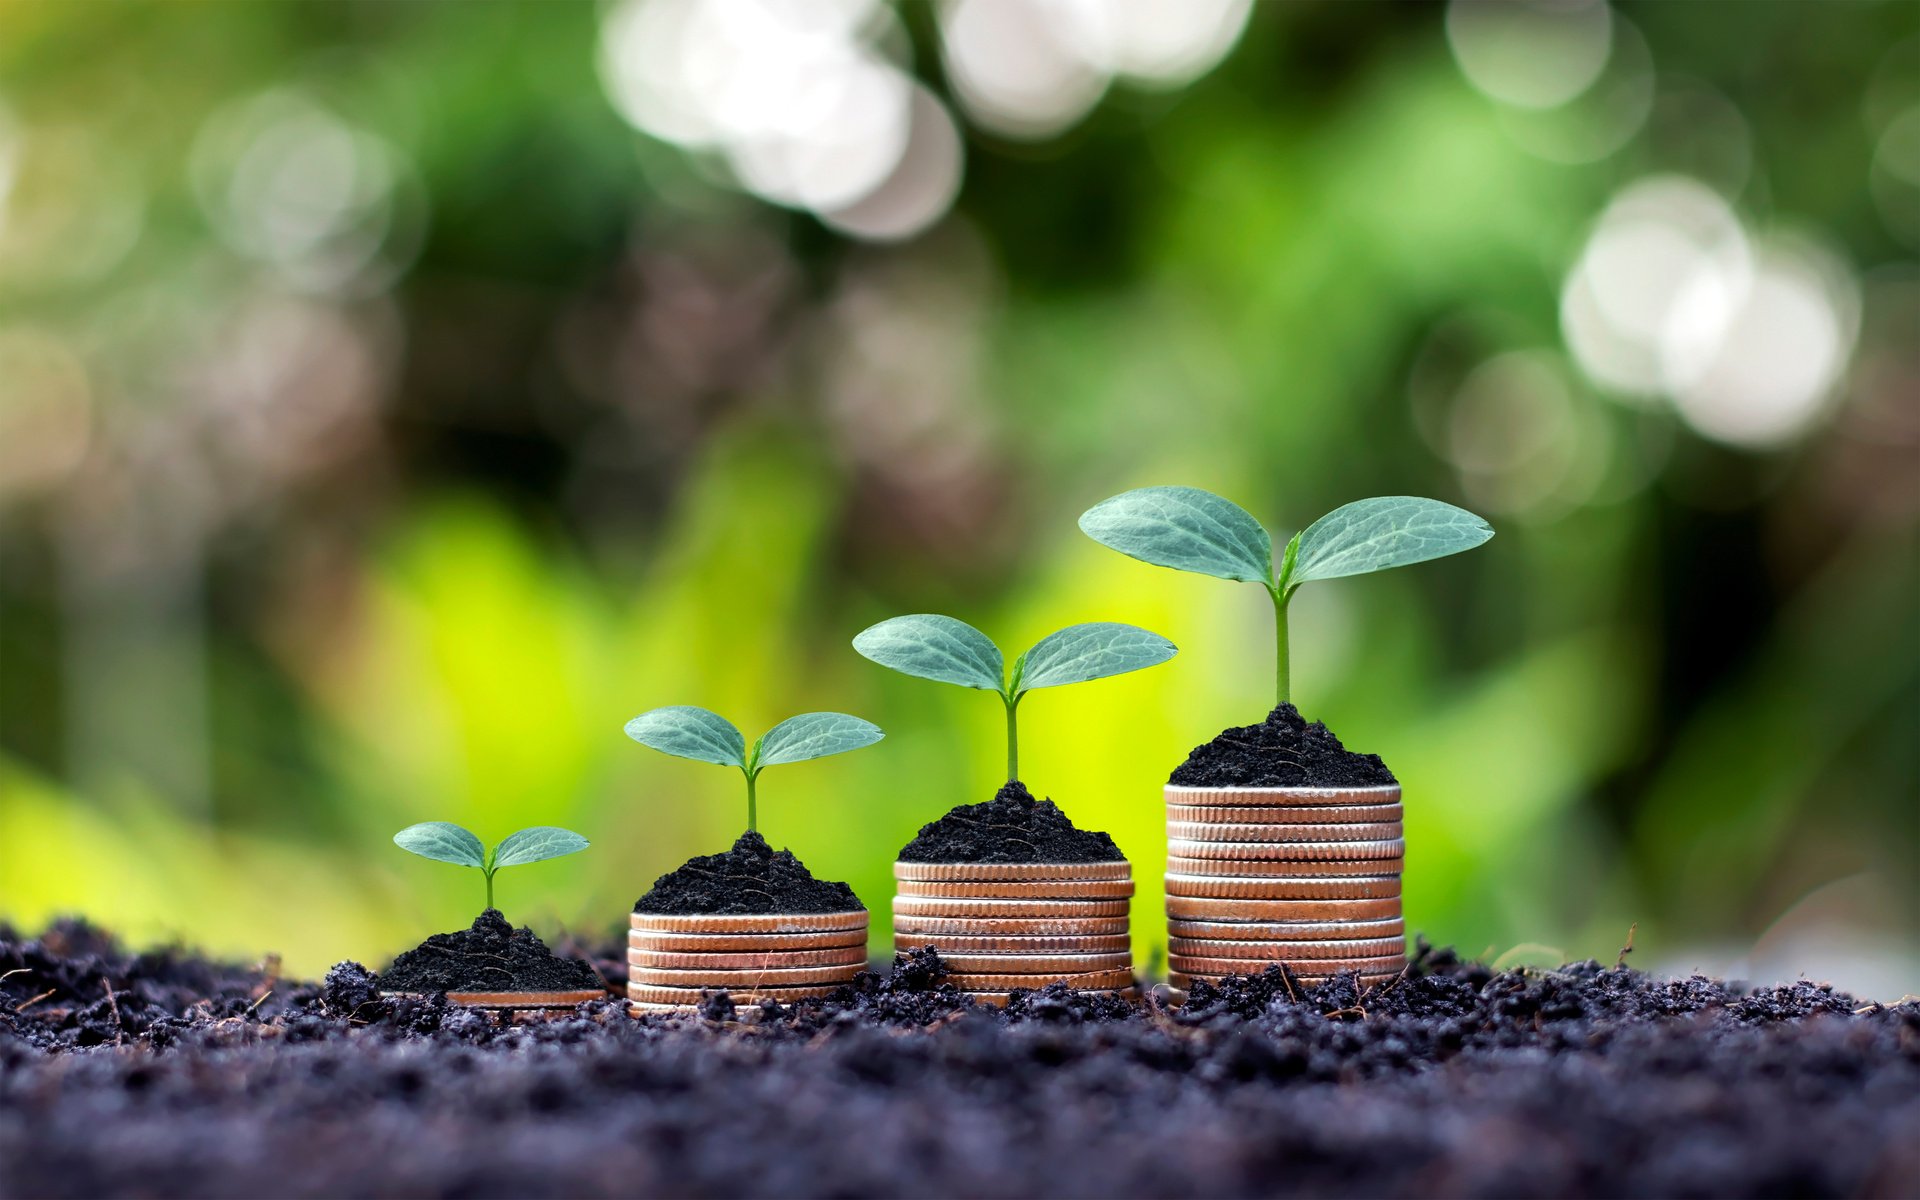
(1007, 926)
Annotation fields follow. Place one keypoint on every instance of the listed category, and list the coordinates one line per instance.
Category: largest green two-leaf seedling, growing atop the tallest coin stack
(1195, 531)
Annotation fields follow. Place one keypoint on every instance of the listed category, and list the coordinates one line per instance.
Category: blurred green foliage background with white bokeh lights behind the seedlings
(395, 398)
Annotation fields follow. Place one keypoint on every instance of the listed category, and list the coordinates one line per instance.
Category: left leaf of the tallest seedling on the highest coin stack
(1184, 529)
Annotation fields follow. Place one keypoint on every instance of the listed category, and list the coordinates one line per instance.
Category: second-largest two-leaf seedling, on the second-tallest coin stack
(951, 652)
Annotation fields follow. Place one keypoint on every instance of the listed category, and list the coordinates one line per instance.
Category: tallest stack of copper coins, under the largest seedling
(1299, 876)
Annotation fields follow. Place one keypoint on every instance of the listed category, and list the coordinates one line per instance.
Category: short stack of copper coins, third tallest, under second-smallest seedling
(780, 957)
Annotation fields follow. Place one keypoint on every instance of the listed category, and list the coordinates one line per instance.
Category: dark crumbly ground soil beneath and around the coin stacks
(166, 1076)
